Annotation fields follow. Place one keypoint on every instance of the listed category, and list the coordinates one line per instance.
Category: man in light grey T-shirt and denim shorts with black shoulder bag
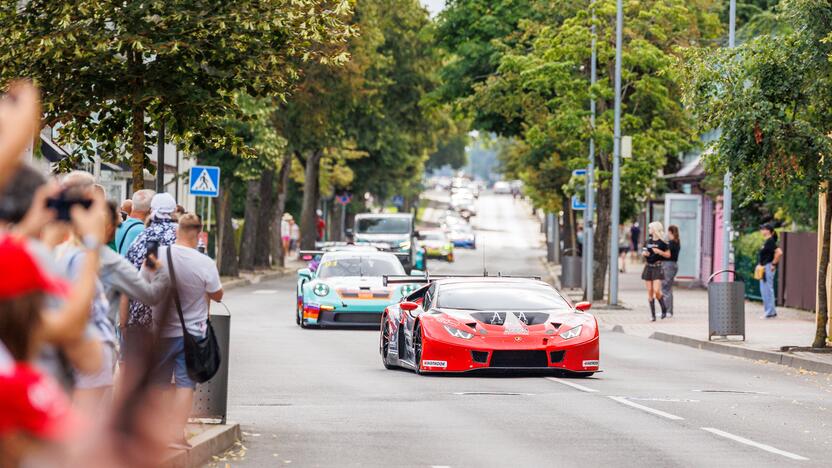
(197, 282)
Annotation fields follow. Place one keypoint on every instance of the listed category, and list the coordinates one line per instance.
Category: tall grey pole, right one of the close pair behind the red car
(616, 158)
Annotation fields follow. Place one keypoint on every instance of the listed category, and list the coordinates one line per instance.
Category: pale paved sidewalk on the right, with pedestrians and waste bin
(689, 325)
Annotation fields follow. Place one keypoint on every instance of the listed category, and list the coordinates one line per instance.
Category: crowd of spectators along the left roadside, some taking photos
(92, 358)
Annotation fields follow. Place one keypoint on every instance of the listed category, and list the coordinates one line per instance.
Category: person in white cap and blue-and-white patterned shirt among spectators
(137, 327)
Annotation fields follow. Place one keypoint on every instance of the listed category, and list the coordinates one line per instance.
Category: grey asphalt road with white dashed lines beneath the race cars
(322, 397)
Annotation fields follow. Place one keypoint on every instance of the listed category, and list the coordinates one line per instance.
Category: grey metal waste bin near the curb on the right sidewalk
(726, 307)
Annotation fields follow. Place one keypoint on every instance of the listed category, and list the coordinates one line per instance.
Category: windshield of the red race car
(493, 296)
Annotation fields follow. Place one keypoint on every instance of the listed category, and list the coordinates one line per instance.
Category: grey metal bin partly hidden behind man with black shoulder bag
(211, 397)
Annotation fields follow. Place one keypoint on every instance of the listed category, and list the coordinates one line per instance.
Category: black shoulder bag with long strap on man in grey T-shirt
(202, 355)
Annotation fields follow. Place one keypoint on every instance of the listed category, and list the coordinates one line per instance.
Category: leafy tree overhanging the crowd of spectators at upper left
(114, 71)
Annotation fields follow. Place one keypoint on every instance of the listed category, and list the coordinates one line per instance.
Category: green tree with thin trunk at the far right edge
(774, 116)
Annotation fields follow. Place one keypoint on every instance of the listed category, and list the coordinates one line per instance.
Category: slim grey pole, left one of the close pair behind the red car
(589, 221)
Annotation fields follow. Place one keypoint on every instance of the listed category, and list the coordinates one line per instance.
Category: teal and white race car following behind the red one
(346, 289)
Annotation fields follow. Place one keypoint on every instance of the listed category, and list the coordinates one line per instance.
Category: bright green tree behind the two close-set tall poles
(545, 88)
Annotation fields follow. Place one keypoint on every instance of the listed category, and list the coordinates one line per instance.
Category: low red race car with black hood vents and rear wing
(488, 323)
